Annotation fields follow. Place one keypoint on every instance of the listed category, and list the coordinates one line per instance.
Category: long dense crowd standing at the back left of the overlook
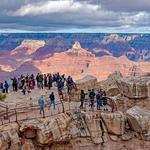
(27, 83)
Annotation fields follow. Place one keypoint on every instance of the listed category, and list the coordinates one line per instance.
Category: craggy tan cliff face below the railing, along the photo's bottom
(77, 130)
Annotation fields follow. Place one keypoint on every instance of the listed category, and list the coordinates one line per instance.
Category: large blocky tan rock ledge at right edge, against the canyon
(135, 87)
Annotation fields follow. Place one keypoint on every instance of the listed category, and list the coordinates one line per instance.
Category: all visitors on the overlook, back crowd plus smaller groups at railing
(27, 83)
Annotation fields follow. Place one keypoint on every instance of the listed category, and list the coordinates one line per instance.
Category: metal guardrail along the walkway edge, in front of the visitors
(28, 113)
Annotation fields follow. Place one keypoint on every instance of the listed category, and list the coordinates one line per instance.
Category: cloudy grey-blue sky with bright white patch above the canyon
(75, 16)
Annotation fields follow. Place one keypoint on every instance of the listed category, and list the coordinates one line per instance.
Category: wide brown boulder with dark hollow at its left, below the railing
(47, 131)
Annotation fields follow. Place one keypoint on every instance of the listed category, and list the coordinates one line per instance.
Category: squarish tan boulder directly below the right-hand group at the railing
(115, 122)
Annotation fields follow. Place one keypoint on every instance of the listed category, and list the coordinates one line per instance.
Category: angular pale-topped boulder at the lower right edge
(139, 121)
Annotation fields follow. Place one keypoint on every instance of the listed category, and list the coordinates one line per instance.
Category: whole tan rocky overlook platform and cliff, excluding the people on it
(68, 127)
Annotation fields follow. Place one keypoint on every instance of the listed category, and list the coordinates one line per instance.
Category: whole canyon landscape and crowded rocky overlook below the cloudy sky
(74, 91)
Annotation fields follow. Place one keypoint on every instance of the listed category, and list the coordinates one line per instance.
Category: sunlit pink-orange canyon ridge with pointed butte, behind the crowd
(76, 61)
